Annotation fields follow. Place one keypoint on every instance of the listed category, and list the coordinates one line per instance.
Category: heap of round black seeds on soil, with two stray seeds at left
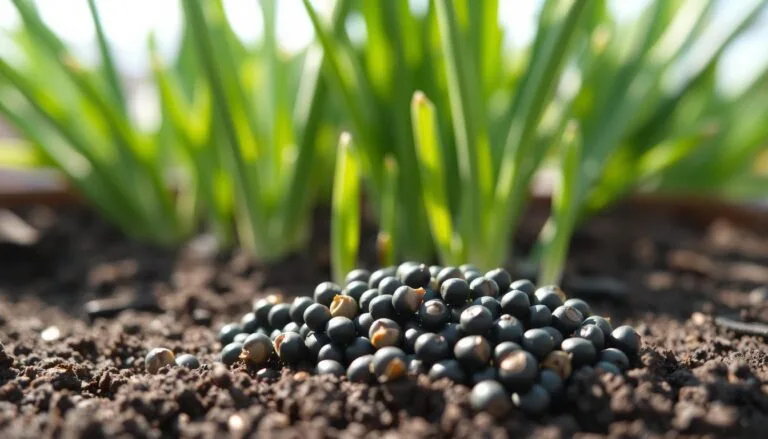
(516, 344)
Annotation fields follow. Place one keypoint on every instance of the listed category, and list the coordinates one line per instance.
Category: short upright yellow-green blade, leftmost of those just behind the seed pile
(345, 210)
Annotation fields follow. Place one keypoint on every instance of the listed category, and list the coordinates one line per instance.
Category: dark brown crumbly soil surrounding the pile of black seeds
(65, 374)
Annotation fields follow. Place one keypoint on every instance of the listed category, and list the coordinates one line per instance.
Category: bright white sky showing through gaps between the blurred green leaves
(128, 22)
